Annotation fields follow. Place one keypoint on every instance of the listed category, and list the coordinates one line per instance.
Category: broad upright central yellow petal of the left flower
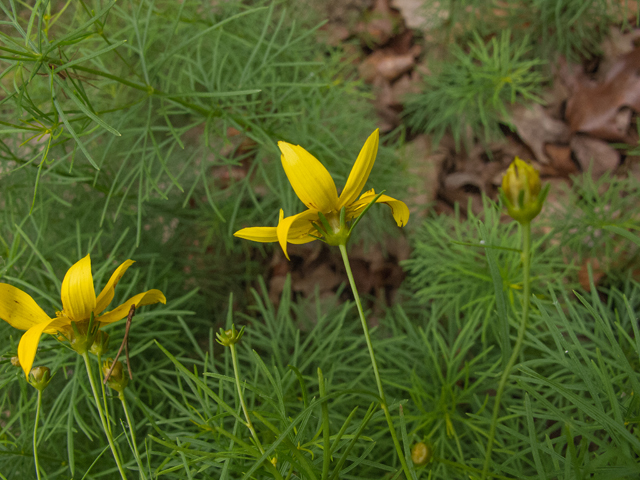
(78, 294)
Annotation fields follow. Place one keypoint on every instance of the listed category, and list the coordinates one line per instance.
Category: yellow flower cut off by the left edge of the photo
(79, 301)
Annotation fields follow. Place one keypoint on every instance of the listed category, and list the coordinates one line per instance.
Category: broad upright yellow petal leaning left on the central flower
(308, 177)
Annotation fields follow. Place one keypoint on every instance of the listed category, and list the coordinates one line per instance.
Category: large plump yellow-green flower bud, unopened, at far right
(521, 191)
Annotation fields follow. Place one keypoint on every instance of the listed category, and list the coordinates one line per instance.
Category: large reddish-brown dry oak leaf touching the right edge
(599, 108)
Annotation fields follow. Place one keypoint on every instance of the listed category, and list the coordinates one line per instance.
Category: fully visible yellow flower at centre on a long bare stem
(316, 189)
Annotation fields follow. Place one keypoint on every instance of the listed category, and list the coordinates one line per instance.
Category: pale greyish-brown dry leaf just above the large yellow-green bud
(536, 128)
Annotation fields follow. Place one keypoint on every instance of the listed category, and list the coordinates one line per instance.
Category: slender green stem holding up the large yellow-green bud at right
(526, 282)
